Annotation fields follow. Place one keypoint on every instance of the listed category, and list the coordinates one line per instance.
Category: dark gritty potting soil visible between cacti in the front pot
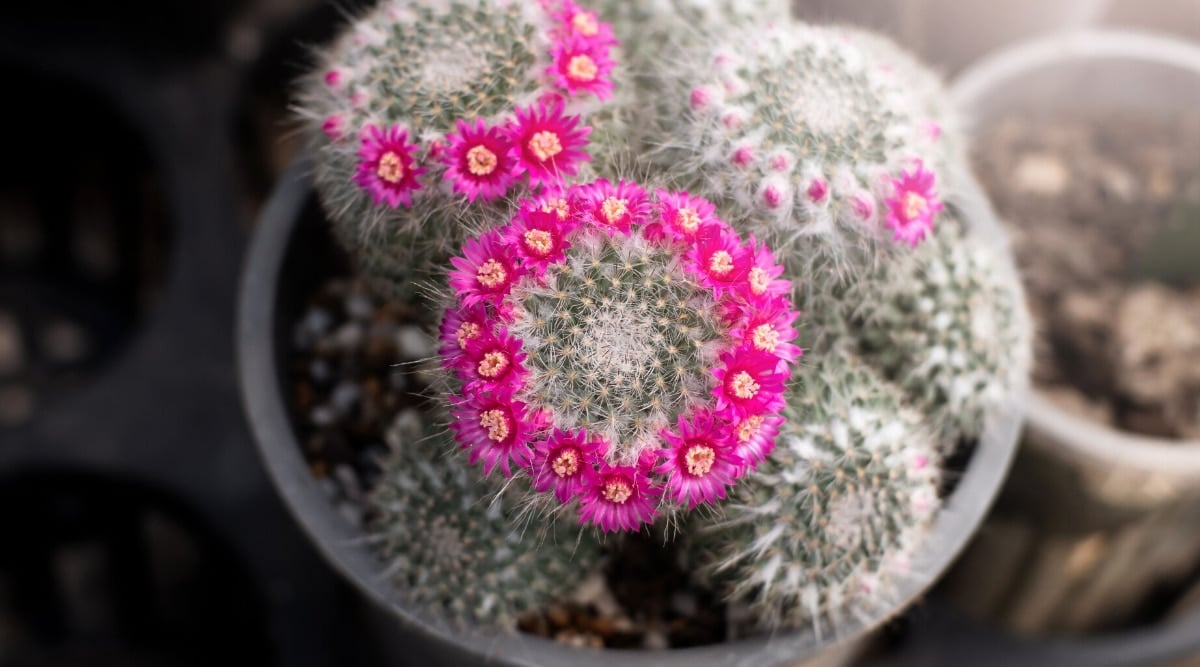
(357, 387)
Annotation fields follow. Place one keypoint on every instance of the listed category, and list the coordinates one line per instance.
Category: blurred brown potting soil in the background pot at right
(1105, 214)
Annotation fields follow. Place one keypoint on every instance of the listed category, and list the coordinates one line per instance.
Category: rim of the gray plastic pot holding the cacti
(345, 548)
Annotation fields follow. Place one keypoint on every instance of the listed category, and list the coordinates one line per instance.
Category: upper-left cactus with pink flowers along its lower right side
(428, 116)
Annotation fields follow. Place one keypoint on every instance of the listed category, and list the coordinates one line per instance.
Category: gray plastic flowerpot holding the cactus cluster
(290, 250)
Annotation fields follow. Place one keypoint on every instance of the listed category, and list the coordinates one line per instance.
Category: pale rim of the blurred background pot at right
(970, 91)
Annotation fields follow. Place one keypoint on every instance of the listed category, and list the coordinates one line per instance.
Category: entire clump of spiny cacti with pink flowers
(694, 269)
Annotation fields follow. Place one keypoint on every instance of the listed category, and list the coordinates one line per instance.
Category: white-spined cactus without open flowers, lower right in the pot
(832, 520)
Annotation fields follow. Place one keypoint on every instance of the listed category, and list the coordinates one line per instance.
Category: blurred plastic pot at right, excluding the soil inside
(1095, 521)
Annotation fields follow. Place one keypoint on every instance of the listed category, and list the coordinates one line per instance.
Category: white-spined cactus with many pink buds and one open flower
(807, 137)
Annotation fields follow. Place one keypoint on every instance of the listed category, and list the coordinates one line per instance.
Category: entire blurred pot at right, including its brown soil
(1090, 146)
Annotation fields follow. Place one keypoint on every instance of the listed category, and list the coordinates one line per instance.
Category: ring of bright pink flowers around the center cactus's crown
(493, 315)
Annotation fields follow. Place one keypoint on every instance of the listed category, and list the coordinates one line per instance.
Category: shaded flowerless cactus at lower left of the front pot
(454, 545)
